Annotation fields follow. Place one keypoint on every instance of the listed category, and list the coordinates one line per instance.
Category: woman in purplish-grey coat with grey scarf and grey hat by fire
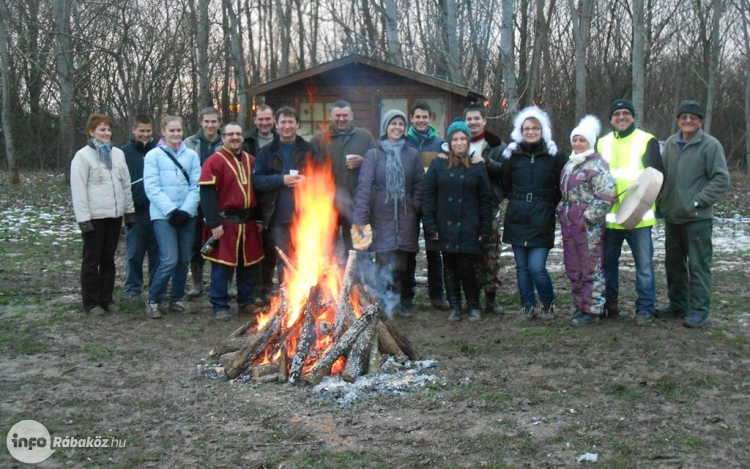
(388, 199)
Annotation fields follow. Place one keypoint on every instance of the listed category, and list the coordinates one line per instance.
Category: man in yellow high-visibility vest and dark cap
(629, 151)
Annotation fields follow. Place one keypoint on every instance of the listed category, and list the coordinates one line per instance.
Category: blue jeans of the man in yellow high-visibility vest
(642, 246)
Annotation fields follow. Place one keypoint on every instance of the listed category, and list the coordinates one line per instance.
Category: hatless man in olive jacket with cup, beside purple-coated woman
(343, 145)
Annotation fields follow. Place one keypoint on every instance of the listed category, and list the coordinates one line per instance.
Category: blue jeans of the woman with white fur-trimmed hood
(531, 271)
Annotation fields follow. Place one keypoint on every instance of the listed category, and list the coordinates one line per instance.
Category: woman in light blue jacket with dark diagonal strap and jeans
(170, 177)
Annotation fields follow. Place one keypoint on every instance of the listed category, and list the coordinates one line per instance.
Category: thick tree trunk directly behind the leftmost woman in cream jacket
(65, 76)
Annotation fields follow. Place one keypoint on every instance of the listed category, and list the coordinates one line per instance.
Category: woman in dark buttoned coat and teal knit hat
(457, 211)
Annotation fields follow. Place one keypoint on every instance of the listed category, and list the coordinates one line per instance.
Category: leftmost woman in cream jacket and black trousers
(100, 188)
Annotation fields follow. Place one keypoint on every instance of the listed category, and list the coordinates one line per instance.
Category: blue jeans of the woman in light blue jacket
(174, 258)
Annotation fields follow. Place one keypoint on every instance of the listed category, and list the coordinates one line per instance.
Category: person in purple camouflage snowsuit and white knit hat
(588, 191)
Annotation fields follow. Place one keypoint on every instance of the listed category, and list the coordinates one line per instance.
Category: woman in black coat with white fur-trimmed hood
(530, 177)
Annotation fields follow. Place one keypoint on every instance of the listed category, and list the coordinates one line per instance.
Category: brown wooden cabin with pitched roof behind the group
(371, 86)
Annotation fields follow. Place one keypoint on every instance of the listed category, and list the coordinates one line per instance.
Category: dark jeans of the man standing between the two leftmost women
(140, 239)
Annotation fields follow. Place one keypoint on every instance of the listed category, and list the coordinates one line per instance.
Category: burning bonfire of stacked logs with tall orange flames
(322, 322)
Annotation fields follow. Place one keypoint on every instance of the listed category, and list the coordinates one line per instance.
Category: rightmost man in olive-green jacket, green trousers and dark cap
(695, 178)
